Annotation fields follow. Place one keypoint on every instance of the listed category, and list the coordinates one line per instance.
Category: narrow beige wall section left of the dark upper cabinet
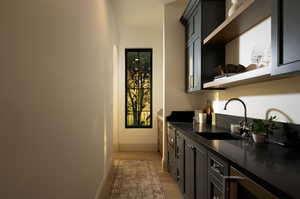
(174, 59)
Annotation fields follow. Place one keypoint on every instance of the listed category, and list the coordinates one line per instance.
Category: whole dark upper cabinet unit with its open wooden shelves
(208, 32)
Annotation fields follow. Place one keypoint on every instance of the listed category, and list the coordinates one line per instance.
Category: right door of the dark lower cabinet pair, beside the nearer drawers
(201, 172)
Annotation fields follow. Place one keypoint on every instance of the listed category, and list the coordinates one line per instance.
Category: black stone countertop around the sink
(270, 165)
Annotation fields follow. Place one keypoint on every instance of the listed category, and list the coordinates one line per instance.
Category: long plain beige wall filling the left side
(55, 98)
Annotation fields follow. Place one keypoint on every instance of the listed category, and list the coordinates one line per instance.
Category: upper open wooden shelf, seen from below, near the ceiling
(249, 14)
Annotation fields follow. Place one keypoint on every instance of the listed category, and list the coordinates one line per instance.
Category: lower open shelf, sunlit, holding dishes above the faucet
(252, 76)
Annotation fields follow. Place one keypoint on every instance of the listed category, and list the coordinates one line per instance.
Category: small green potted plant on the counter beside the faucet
(261, 129)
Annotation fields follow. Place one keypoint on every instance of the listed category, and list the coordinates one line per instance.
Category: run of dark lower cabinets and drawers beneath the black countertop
(203, 174)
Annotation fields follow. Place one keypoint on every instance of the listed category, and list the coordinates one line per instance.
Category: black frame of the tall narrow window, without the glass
(127, 50)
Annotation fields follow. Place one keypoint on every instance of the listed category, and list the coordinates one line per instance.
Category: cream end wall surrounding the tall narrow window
(140, 25)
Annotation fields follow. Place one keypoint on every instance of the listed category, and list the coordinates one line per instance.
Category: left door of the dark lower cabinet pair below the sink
(189, 170)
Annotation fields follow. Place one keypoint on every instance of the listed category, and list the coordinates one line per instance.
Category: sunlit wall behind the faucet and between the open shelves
(276, 95)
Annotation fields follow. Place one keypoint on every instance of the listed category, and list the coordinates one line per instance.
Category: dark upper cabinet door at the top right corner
(286, 37)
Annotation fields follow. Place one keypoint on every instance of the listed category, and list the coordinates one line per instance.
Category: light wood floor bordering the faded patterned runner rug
(170, 188)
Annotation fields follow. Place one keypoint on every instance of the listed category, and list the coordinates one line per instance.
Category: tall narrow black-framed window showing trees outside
(138, 88)
